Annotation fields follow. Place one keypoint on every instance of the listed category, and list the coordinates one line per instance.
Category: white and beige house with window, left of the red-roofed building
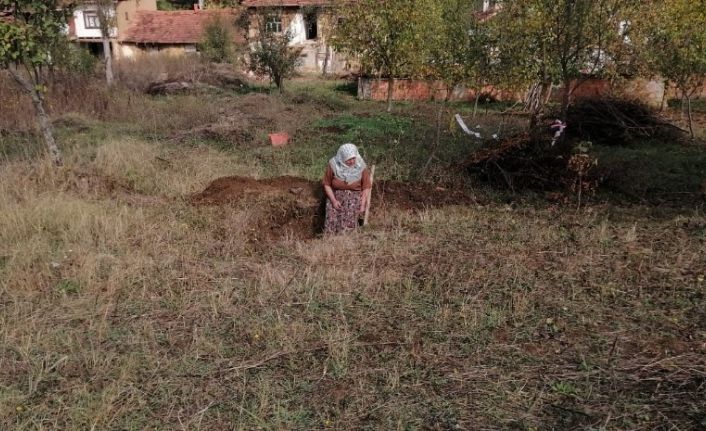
(84, 26)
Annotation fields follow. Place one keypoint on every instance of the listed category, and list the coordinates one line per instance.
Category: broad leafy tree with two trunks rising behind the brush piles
(546, 42)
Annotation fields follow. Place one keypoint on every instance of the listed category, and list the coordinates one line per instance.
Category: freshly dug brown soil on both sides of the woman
(291, 207)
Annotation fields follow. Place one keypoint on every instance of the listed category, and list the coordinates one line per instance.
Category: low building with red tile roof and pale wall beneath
(173, 32)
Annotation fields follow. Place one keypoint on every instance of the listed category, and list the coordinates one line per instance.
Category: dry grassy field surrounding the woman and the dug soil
(125, 306)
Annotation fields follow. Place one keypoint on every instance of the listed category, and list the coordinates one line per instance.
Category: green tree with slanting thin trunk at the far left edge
(28, 35)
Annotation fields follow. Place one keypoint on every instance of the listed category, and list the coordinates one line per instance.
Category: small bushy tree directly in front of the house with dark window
(271, 54)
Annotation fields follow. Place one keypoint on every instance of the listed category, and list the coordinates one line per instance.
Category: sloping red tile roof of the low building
(176, 27)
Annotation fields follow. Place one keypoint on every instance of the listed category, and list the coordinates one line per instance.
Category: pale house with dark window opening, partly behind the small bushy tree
(309, 22)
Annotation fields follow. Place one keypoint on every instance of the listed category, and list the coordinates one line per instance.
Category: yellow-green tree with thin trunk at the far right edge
(674, 38)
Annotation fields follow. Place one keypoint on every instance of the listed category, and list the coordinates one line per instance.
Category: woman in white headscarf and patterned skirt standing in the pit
(347, 185)
